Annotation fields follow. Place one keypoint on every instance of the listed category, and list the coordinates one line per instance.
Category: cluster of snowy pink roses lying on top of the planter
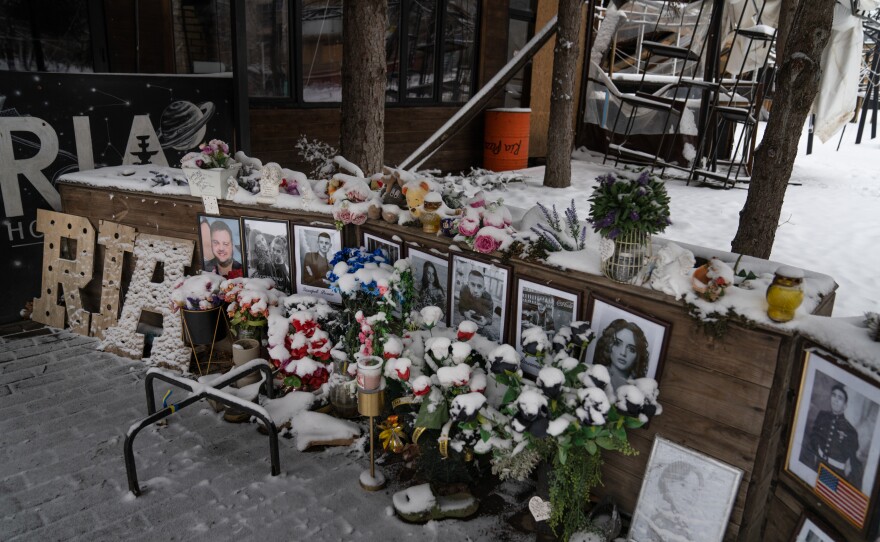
(485, 225)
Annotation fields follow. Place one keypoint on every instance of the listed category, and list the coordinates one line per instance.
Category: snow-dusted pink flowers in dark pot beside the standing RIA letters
(200, 302)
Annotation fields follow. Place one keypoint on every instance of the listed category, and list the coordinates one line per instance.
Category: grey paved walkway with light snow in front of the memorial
(64, 411)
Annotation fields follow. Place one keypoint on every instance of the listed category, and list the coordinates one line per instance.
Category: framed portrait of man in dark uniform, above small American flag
(836, 424)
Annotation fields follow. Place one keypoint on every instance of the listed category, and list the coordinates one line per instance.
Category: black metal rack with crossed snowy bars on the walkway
(199, 392)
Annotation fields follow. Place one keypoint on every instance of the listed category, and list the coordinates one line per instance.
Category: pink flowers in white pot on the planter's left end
(209, 170)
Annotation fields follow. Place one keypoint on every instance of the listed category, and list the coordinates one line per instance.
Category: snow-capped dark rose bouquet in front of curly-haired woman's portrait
(564, 418)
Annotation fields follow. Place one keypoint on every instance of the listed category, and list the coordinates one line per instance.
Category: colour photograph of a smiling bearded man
(220, 243)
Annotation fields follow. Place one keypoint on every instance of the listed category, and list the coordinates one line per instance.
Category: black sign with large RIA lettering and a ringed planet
(55, 123)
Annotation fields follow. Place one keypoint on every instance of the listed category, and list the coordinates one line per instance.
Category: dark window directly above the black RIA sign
(116, 36)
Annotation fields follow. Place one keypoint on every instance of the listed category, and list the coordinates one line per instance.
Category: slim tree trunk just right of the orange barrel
(557, 174)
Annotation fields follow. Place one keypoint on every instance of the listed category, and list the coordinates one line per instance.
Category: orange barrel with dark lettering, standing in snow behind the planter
(506, 140)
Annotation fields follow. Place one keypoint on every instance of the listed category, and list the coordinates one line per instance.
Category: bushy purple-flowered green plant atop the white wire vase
(620, 205)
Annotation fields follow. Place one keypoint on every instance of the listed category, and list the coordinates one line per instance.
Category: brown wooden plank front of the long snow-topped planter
(728, 397)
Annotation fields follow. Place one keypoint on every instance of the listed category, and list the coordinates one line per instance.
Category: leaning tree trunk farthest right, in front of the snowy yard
(796, 86)
